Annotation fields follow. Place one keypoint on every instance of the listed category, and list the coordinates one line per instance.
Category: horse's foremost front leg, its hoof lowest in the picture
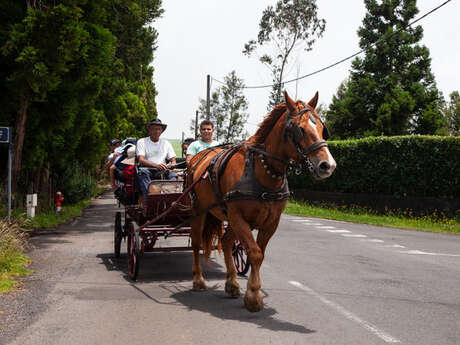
(253, 297)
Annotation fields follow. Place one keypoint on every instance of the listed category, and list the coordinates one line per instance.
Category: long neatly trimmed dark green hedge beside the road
(427, 166)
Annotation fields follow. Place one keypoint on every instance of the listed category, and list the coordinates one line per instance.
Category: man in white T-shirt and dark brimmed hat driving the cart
(154, 152)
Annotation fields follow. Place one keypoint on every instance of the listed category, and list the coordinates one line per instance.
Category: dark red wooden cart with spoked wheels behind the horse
(161, 215)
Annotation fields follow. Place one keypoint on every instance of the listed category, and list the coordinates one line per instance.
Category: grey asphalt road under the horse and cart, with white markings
(325, 283)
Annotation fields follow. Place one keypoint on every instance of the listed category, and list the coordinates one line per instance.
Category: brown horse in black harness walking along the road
(246, 186)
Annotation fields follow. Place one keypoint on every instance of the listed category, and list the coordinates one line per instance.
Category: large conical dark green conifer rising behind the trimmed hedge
(391, 90)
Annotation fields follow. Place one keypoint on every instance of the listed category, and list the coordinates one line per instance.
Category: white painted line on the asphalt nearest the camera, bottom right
(348, 314)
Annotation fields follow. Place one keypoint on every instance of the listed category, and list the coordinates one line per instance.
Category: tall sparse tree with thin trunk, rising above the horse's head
(289, 26)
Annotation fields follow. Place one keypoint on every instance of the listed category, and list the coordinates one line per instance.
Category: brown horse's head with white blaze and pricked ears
(306, 137)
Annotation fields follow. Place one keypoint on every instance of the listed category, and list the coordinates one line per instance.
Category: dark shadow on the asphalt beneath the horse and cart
(176, 268)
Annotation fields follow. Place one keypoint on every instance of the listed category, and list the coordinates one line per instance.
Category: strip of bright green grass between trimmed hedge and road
(403, 220)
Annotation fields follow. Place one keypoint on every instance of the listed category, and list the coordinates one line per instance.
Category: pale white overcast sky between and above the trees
(202, 37)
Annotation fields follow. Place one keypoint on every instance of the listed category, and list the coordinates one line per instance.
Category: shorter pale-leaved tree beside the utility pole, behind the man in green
(228, 107)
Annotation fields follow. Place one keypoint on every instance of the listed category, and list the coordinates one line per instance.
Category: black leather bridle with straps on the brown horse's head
(295, 134)
